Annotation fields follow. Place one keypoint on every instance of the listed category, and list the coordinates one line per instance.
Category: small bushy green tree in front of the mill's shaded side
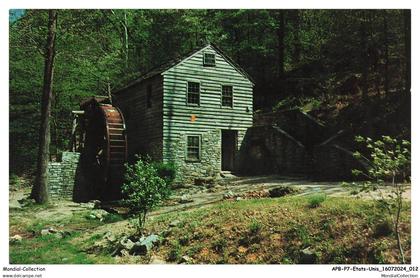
(143, 189)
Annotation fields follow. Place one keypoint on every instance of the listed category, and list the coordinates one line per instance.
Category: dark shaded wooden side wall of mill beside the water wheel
(144, 125)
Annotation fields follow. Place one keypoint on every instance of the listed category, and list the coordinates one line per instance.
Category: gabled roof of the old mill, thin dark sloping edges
(173, 62)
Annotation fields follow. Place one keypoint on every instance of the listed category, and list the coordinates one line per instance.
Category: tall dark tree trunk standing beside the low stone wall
(40, 189)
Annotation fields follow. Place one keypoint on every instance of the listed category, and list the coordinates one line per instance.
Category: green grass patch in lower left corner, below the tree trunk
(48, 249)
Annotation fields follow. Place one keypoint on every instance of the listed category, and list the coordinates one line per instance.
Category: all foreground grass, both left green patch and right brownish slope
(337, 230)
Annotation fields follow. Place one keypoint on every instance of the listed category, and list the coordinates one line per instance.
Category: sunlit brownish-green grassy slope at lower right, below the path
(339, 230)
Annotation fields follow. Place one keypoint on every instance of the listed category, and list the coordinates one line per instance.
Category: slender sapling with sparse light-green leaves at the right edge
(389, 162)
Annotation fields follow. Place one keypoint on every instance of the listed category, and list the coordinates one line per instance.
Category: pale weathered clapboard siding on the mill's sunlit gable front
(210, 115)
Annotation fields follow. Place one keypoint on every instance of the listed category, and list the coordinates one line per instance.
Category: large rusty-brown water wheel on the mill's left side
(105, 149)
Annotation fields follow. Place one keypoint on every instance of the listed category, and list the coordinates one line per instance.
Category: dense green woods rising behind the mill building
(348, 68)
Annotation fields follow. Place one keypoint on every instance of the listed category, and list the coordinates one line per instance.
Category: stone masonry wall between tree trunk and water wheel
(62, 176)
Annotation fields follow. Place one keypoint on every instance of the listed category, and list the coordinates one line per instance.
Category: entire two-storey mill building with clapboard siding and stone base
(192, 111)
